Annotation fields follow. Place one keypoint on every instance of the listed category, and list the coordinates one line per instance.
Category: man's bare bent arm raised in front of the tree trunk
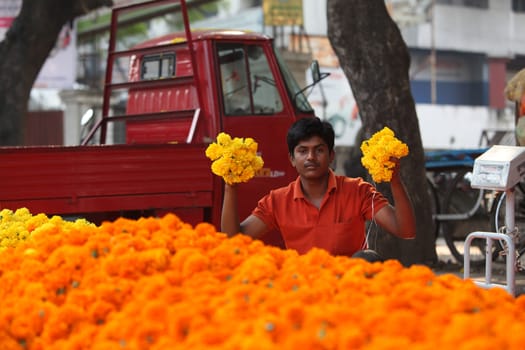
(398, 219)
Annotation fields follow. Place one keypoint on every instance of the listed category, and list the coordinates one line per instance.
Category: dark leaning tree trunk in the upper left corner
(23, 52)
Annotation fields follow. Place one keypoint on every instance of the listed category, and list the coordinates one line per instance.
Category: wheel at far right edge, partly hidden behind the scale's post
(497, 219)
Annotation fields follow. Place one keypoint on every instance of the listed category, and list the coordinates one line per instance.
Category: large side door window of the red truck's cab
(248, 85)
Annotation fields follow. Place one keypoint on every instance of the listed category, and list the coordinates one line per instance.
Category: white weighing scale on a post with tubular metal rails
(499, 168)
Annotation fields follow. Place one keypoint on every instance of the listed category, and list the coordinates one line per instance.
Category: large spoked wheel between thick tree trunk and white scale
(462, 199)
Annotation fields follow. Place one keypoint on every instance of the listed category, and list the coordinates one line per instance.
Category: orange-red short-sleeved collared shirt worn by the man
(337, 226)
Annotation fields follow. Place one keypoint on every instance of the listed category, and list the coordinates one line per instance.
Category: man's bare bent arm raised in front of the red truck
(230, 223)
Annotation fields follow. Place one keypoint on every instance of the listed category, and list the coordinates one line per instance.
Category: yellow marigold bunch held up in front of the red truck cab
(235, 160)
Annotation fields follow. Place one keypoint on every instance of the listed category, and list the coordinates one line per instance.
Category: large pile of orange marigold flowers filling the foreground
(159, 283)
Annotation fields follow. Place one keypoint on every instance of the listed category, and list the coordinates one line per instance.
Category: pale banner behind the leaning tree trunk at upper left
(59, 70)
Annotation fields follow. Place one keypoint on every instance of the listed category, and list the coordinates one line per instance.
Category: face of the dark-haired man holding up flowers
(312, 158)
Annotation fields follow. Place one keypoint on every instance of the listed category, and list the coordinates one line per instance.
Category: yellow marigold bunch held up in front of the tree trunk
(378, 151)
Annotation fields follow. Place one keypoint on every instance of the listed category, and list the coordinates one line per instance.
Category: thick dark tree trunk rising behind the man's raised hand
(375, 59)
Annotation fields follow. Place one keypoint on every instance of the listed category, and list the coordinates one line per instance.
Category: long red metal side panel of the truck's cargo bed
(105, 178)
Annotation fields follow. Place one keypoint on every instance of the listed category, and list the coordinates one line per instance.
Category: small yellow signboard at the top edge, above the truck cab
(283, 12)
